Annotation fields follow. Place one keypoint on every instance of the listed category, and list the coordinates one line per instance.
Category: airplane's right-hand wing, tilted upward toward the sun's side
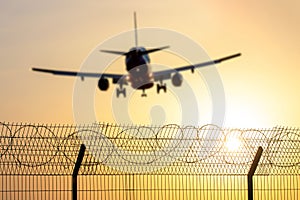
(166, 74)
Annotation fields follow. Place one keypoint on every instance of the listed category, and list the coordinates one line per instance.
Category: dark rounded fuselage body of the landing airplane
(139, 69)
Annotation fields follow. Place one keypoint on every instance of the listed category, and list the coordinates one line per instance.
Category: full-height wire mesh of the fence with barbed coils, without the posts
(142, 162)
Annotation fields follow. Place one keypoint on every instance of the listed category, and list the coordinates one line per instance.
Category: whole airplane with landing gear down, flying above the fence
(139, 73)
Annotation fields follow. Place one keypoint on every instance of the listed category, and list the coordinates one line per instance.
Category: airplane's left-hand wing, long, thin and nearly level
(115, 77)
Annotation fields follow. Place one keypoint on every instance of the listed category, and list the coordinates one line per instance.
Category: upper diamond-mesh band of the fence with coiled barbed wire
(35, 149)
